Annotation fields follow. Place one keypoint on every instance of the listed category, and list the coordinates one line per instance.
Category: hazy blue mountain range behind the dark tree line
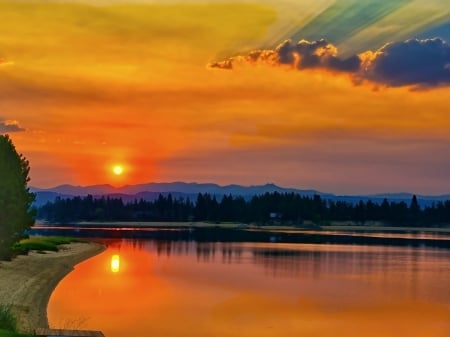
(151, 191)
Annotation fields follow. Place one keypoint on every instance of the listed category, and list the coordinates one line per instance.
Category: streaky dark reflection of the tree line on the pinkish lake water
(305, 261)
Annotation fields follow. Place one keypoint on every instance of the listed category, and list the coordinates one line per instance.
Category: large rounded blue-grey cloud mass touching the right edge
(412, 62)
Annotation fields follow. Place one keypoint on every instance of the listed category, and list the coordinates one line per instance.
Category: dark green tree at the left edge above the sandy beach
(15, 198)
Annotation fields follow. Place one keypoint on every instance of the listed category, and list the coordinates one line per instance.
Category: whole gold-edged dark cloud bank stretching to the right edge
(407, 63)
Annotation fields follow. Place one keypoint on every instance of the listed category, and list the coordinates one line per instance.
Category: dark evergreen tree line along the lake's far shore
(268, 208)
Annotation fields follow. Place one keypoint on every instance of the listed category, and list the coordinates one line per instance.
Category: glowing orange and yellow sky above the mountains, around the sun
(85, 87)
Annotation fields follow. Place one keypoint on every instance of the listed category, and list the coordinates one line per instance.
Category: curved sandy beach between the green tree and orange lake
(27, 282)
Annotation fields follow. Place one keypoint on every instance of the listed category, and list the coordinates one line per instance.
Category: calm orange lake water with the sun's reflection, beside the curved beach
(153, 288)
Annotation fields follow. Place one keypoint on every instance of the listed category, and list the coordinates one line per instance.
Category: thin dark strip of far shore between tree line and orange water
(229, 232)
